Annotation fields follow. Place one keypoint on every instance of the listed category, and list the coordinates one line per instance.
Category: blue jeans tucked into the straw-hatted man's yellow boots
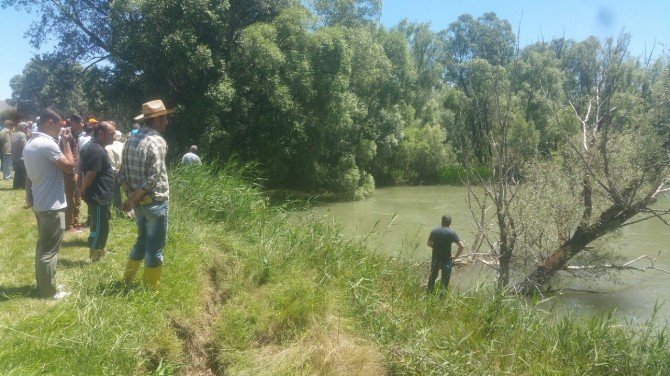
(151, 220)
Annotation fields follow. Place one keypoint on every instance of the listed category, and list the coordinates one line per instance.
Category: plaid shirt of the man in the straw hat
(143, 164)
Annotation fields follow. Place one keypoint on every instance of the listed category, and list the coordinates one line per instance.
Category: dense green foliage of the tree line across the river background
(318, 93)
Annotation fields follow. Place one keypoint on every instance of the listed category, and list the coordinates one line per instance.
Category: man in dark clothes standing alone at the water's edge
(440, 240)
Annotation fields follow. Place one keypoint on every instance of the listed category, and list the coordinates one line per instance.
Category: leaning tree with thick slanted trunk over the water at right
(622, 165)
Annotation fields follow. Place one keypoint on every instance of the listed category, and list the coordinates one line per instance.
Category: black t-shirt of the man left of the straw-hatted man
(94, 157)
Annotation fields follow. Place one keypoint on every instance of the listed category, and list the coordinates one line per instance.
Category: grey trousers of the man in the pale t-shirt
(50, 228)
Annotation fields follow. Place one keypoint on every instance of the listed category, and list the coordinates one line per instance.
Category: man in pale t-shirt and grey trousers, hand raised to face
(45, 194)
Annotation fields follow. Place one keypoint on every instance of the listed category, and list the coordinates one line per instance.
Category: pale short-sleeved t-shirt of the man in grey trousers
(40, 154)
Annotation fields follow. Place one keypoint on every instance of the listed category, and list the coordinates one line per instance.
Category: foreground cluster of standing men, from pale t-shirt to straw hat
(62, 167)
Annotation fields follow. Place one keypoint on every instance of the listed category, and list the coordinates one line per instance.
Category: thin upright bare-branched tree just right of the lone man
(512, 145)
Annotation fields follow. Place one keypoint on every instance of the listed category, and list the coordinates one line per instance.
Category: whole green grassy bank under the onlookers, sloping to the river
(245, 291)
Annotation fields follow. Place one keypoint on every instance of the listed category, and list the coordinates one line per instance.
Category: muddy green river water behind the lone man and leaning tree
(396, 222)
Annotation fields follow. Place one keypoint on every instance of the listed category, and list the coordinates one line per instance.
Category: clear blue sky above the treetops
(648, 22)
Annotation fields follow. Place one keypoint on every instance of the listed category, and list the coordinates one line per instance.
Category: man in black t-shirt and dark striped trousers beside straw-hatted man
(98, 187)
